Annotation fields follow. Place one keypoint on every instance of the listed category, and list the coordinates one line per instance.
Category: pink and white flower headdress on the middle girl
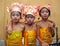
(31, 10)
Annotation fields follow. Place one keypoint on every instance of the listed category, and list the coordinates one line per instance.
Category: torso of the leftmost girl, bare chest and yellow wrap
(14, 37)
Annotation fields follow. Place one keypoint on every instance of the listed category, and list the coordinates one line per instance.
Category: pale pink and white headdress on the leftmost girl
(15, 7)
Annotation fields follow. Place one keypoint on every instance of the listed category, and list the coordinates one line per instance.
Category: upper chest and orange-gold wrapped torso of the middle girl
(30, 35)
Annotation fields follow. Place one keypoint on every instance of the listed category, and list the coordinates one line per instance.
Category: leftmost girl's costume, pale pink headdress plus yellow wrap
(15, 38)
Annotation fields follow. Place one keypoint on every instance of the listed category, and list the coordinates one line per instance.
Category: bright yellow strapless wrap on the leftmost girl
(14, 39)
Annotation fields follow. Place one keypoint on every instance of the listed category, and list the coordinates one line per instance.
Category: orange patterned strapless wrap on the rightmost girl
(45, 35)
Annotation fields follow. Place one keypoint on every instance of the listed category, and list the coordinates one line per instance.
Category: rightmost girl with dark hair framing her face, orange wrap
(45, 27)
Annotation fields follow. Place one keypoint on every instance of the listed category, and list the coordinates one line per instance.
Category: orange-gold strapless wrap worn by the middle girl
(30, 38)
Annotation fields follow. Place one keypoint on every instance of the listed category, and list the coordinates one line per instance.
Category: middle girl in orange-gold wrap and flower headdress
(30, 27)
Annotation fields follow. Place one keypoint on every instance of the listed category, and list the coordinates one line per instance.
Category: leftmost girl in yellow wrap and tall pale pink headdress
(14, 28)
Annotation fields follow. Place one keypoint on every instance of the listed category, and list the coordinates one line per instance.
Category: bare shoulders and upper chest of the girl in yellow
(10, 27)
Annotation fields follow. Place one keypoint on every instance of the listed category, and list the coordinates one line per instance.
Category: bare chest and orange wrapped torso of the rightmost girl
(45, 32)
